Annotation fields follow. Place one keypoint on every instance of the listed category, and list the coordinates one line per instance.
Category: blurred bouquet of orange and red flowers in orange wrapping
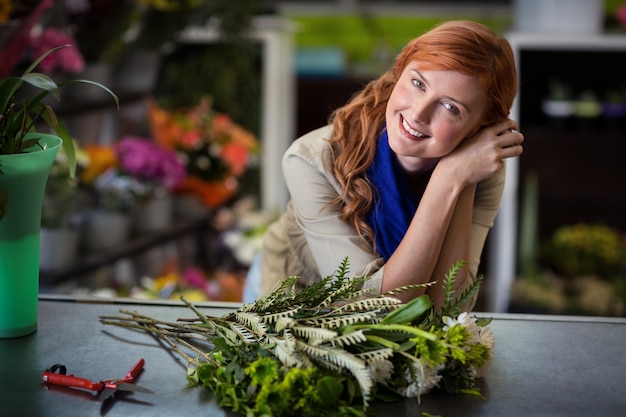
(215, 150)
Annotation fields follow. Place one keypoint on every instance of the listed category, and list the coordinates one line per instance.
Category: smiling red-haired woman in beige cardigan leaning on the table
(407, 178)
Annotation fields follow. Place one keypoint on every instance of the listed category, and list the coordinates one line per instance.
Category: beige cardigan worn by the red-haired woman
(310, 240)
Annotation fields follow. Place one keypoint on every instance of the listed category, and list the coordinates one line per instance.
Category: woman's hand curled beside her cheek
(483, 154)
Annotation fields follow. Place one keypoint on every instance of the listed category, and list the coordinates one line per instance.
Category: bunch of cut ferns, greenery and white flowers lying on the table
(330, 349)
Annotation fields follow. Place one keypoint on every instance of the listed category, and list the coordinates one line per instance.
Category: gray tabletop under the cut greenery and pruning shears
(543, 366)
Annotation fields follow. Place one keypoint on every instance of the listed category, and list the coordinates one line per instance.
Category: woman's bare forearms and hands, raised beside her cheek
(440, 232)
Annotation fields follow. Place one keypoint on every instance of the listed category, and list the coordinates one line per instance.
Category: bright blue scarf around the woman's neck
(395, 202)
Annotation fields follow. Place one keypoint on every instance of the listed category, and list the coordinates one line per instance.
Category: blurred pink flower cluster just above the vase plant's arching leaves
(66, 59)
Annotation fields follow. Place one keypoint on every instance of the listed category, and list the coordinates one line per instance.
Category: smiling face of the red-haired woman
(430, 112)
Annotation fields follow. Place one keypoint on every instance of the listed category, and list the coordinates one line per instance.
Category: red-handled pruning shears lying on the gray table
(56, 374)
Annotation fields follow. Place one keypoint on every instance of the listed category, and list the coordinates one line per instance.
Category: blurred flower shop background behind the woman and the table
(175, 188)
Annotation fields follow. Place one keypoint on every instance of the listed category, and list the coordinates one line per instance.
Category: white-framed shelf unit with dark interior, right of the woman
(580, 168)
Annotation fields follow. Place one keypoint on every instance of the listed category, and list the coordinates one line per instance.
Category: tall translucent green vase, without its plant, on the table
(24, 180)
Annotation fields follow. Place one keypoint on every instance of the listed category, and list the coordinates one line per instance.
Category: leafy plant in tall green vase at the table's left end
(26, 156)
